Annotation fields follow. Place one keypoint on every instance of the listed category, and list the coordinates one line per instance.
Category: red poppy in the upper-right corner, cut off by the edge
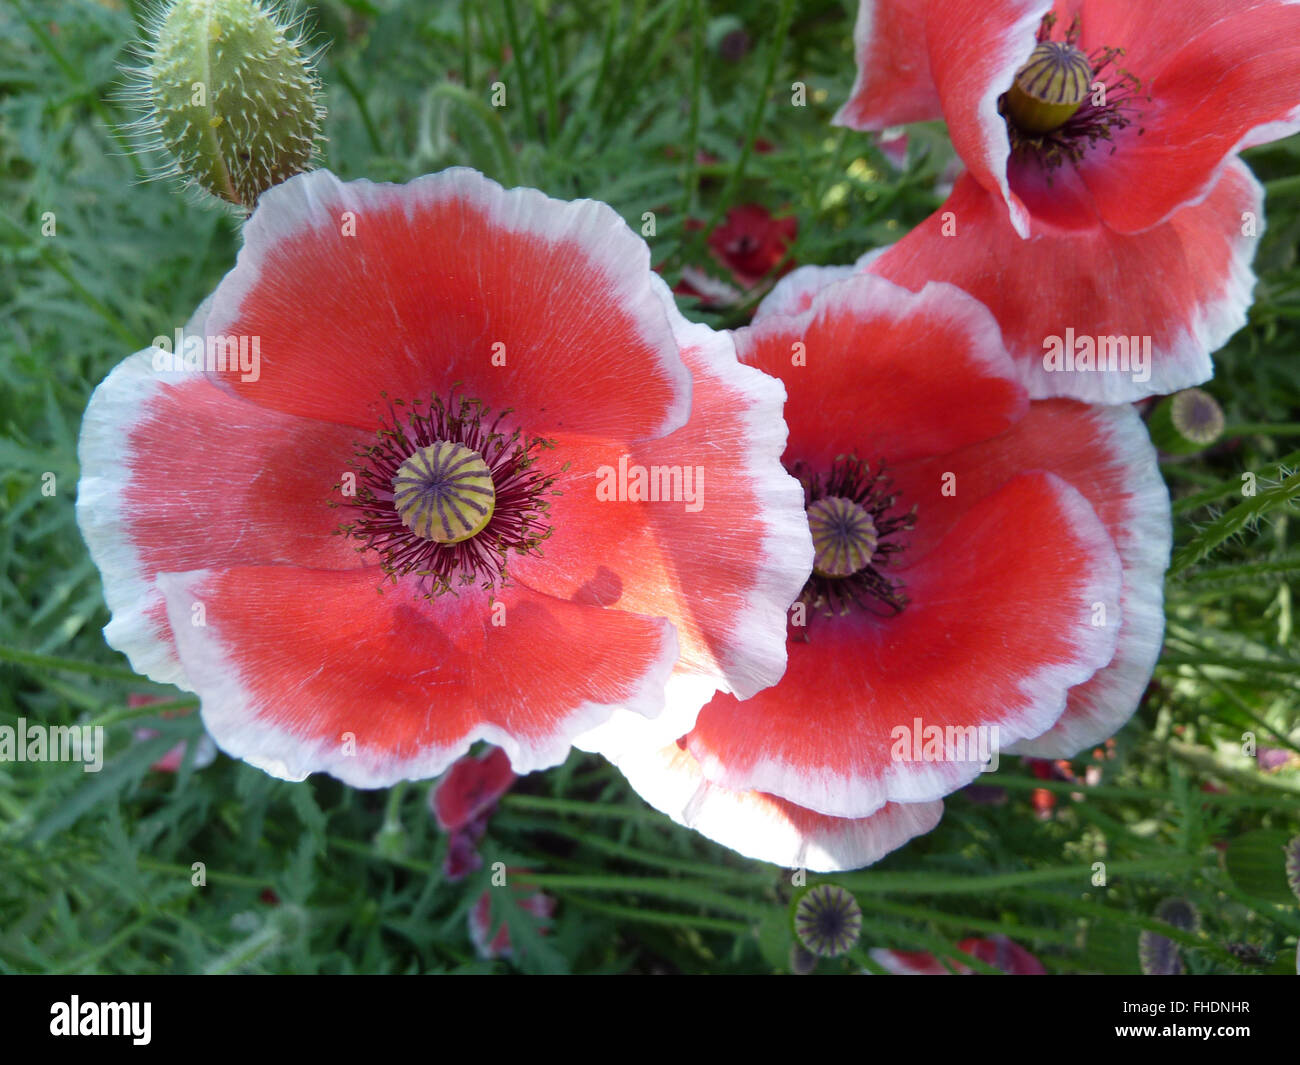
(1104, 135)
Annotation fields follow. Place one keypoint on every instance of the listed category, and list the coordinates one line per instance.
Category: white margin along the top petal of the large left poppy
(310, 202)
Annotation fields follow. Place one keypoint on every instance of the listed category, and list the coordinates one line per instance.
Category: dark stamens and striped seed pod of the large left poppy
(447, 496)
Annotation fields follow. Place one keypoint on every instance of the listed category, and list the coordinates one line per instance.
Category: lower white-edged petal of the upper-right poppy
(1186, 284)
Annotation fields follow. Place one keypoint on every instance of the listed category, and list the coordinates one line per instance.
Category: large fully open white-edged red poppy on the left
(296, 522)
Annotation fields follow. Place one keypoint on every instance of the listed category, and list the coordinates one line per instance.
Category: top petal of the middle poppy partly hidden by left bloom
(938, 352)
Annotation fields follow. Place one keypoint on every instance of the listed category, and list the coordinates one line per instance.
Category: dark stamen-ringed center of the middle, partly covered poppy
(851, 517)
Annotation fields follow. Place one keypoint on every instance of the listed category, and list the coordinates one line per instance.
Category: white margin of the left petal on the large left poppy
(106, 474)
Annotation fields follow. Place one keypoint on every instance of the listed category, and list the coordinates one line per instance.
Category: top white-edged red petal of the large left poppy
(439, 272)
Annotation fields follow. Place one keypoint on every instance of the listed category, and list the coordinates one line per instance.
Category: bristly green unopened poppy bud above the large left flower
(233, 97)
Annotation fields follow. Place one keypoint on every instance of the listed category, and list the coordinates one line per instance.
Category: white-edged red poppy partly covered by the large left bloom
(982, 564)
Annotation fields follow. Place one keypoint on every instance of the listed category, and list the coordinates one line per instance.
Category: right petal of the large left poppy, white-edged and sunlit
(722, 565)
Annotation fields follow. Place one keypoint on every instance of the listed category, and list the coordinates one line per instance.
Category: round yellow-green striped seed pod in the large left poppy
(445, 493)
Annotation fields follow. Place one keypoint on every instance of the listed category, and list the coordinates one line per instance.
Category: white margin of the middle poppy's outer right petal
(1099, 708)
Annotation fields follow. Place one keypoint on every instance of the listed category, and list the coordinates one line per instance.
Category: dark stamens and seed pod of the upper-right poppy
(1065, 101)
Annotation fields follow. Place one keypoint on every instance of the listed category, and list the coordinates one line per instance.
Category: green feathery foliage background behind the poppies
(662, 106)
